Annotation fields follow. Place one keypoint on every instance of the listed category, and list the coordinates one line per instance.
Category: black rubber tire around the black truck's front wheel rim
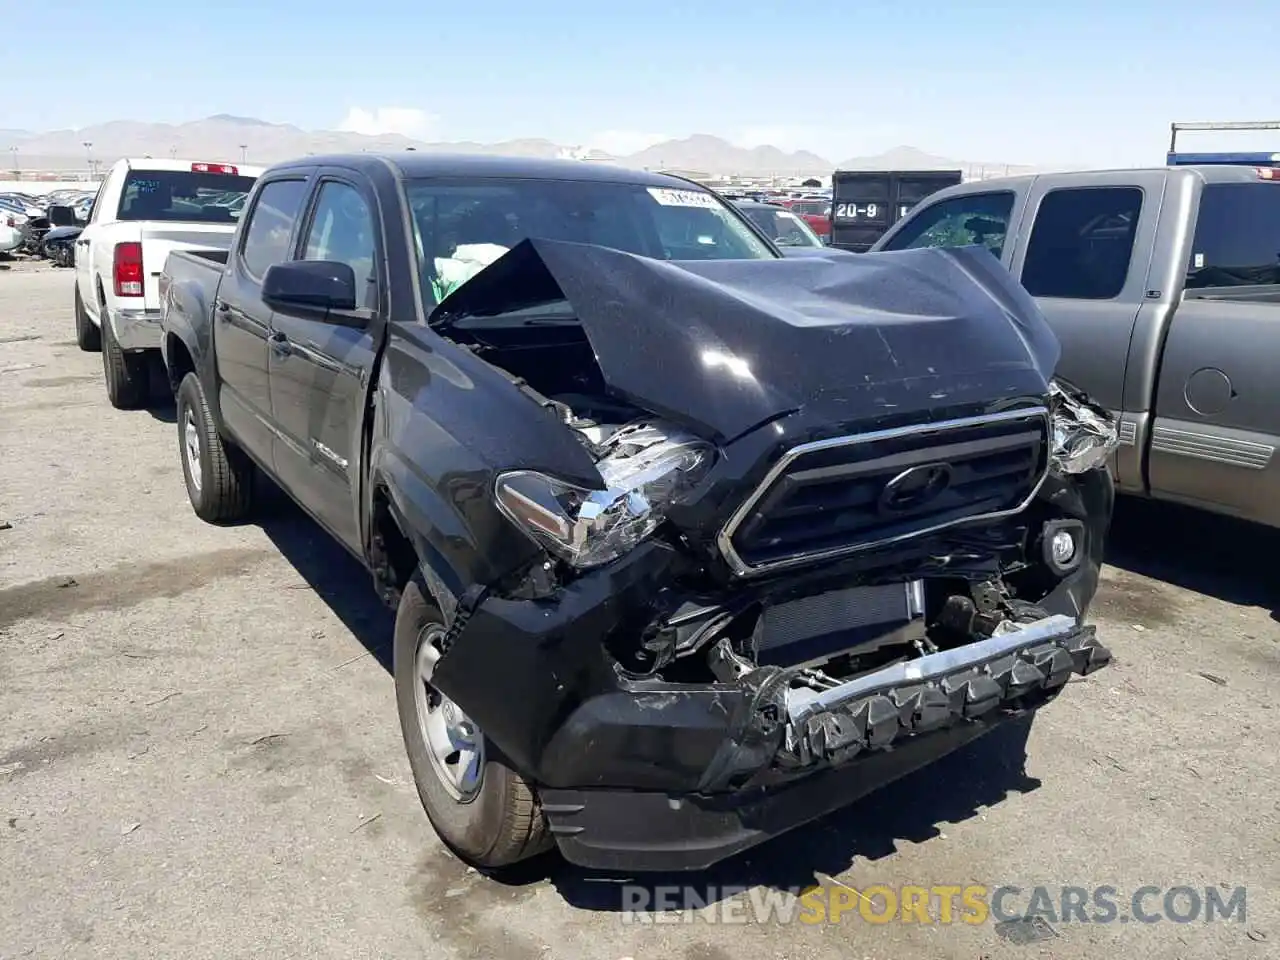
(504, 822)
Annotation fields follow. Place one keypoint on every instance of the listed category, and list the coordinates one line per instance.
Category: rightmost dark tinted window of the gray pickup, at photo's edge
(1237, 236)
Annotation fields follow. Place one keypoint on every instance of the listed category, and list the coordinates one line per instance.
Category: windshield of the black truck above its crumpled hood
(463, 227)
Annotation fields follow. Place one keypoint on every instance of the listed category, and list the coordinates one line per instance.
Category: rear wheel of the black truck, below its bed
(225, 490)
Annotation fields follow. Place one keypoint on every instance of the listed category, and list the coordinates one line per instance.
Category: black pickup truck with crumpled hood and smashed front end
(689, 543)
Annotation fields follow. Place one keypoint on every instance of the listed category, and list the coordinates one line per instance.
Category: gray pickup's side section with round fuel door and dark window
(1218, 399)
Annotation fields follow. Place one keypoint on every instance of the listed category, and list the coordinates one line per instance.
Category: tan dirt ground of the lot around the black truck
(200, 755)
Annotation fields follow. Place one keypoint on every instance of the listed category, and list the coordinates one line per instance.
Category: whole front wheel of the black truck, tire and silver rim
(483, 811)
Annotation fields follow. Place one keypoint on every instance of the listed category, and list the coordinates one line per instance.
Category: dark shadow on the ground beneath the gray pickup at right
(1197, 551)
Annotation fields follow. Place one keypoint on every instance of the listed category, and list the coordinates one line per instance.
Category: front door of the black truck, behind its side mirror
(321, 364)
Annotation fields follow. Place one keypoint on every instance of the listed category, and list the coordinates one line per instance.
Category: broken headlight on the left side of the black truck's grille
(646, 469)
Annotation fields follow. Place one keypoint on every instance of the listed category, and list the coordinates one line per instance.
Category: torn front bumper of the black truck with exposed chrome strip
(644, 774)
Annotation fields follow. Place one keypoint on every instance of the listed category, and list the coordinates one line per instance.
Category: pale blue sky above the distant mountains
(1084, 83)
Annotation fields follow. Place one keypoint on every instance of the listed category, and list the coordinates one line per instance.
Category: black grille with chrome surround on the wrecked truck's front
(836, 497)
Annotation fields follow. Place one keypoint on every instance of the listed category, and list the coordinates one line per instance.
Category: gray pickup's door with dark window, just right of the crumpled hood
(1086, 260)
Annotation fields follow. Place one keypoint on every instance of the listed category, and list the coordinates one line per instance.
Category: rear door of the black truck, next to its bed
(243, 322)
